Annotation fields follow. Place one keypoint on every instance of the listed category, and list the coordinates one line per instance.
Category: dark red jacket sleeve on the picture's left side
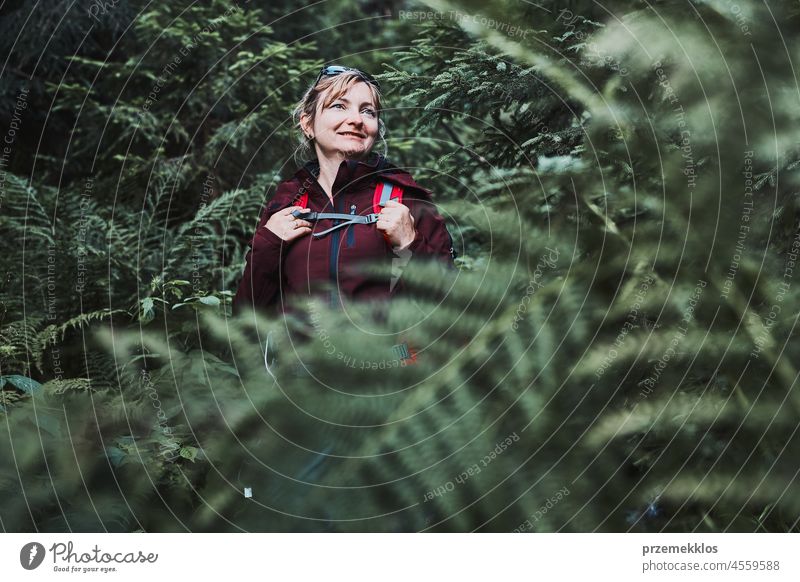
(260, 282)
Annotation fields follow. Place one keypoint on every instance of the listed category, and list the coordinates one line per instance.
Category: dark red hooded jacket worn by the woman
(328, 265)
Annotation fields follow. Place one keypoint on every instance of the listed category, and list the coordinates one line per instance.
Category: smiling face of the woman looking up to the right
(348, 126)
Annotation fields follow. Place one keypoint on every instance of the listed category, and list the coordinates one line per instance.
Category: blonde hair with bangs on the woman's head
(338, 85)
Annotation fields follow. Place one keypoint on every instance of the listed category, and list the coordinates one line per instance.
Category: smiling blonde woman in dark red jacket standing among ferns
(299, 248)
